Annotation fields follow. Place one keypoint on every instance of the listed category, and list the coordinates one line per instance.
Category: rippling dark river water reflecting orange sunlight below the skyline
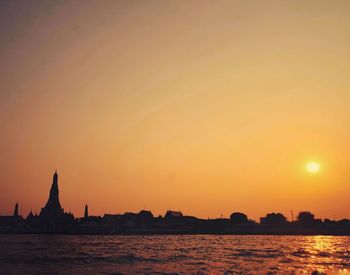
(173, 254)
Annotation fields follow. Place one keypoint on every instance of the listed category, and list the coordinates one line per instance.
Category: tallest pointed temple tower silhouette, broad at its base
(53, 209)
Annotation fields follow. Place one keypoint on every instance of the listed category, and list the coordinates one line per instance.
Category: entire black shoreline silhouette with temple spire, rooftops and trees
(53, 219)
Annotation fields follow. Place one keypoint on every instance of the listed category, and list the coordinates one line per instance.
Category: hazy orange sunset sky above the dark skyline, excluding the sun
(207, 107)
